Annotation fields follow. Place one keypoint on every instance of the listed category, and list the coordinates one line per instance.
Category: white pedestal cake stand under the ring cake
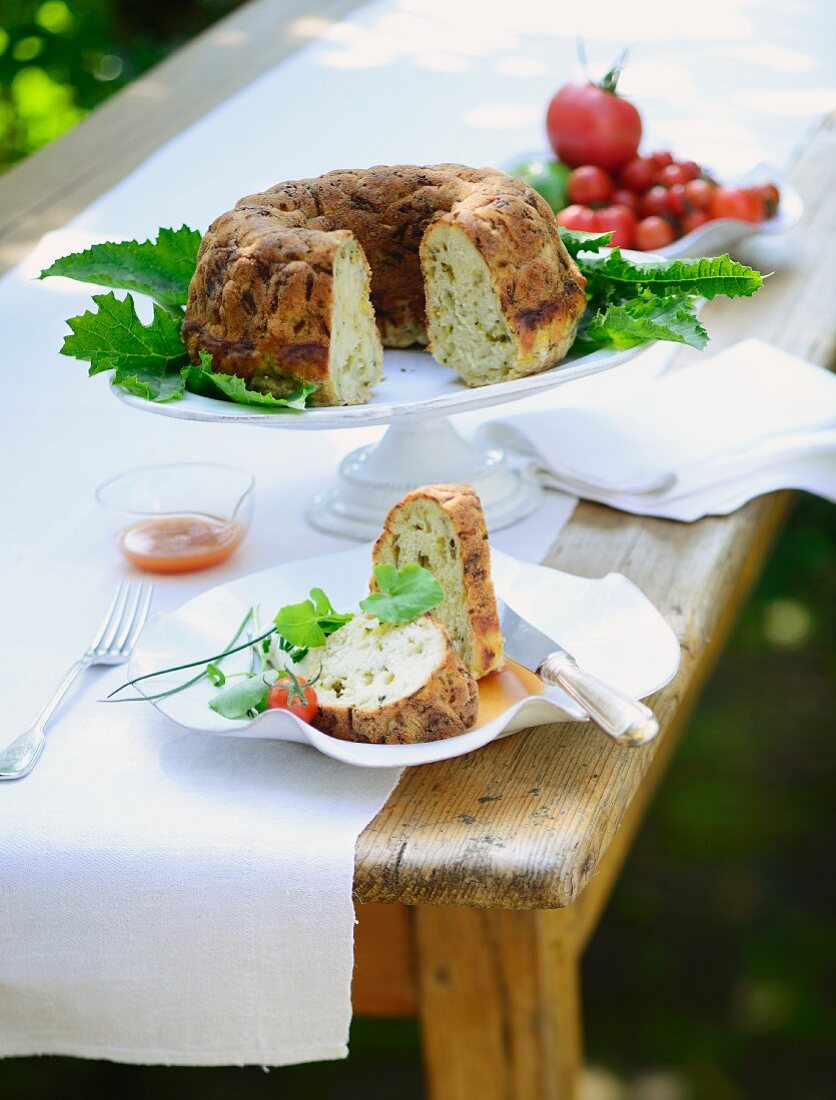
(416, 399)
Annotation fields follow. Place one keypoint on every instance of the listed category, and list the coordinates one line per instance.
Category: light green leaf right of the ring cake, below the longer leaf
(640, 320)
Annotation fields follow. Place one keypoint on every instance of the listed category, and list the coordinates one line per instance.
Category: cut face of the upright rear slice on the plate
(425, 535)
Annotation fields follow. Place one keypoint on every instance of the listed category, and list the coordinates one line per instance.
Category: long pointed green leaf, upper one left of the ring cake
(161, 269)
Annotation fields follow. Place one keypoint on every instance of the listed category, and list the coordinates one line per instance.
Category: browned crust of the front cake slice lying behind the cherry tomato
(446, 706)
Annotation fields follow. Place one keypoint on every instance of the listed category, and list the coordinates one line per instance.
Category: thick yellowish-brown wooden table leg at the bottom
(500, 1004)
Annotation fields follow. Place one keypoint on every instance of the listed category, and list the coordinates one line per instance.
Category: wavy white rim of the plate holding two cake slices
(513, 580)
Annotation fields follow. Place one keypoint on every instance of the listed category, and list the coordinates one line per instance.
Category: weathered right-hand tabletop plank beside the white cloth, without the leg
(526, 822)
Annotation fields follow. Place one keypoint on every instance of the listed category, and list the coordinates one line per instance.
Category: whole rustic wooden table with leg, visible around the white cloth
(483, 878)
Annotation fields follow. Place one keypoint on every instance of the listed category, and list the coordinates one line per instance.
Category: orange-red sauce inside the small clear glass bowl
(180, 544)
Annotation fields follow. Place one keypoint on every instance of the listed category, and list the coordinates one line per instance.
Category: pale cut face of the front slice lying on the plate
(368, 665)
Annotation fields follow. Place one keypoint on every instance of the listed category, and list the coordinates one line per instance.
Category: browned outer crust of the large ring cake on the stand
(260, 302)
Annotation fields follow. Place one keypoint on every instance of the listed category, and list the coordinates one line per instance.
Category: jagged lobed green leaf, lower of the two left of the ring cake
(148, 359)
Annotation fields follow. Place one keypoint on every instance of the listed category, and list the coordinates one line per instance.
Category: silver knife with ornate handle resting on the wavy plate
(625, 720)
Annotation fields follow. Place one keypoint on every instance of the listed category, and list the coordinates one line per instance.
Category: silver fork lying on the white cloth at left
(113, 645)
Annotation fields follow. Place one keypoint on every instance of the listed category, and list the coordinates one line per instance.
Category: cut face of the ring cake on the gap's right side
(465, 321)
